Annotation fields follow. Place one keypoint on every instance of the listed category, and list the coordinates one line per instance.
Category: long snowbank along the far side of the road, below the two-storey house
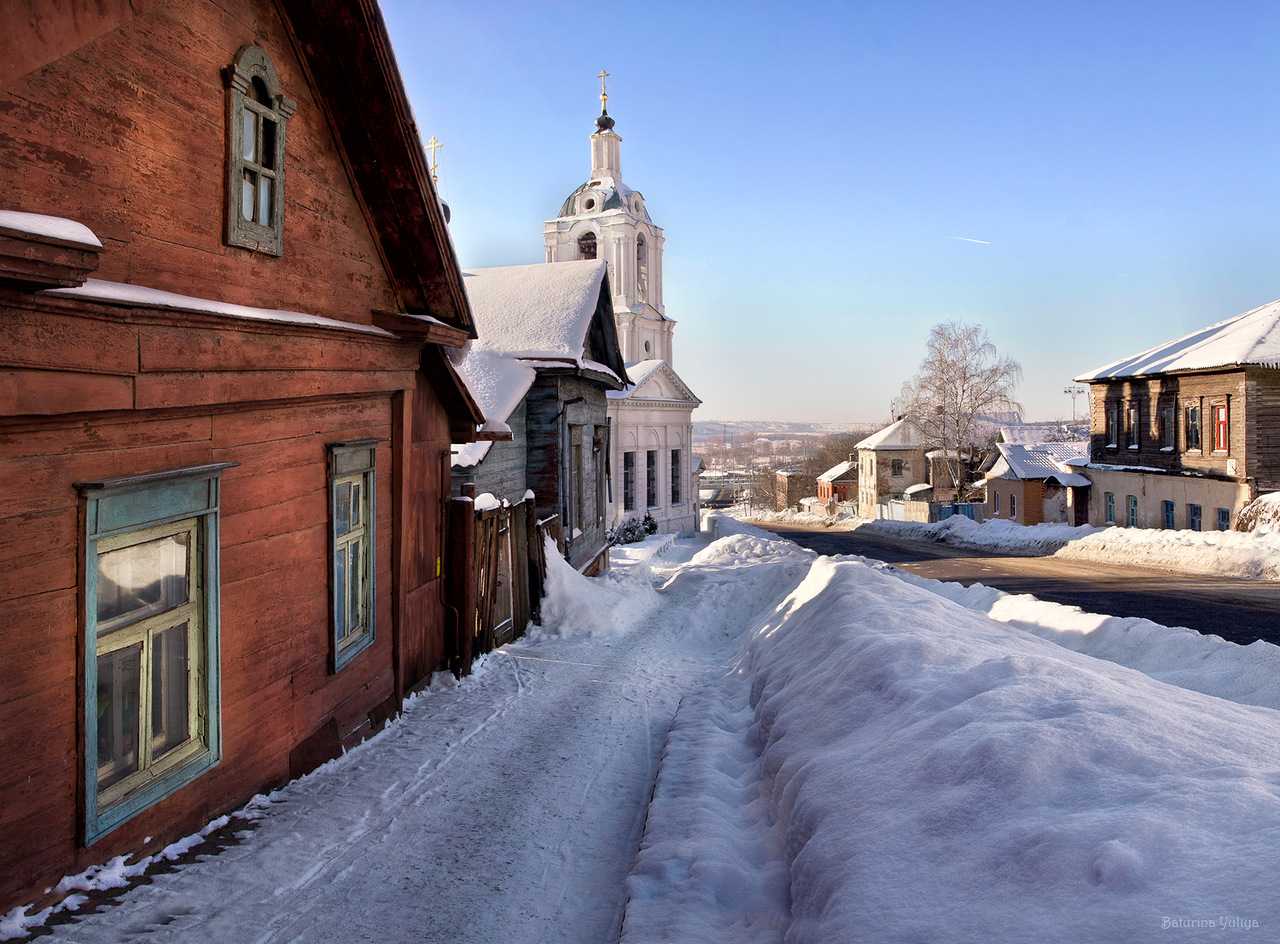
(1220, 553)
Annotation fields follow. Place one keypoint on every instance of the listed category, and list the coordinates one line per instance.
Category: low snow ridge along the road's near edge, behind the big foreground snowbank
(1181, 657)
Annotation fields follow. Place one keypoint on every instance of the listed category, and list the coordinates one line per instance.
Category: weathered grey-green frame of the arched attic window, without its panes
(253, 63)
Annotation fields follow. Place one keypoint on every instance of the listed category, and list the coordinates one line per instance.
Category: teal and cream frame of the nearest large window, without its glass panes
(121, 514)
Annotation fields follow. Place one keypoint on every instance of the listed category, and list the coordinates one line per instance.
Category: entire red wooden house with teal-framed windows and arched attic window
(226, 413)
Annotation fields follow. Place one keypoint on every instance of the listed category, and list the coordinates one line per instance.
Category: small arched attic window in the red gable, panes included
(257, 113)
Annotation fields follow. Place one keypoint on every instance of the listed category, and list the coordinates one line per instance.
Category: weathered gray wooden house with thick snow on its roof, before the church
(546, 355)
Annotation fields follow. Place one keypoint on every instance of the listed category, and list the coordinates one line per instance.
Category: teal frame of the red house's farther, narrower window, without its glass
(353, 464)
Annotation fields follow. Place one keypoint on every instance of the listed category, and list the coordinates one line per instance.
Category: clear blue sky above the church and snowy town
(813, 167)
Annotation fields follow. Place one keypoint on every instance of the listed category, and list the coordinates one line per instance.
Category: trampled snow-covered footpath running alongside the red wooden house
(510, 808)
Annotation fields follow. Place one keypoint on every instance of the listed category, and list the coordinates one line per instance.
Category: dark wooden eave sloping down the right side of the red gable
(349, 58)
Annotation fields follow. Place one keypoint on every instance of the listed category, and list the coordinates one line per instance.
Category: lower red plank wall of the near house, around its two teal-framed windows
(277, 688)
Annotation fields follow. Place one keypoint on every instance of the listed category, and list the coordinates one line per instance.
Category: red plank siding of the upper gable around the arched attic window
(127, 135)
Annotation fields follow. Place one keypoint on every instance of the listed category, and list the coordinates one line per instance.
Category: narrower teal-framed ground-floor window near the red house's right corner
(354, 548)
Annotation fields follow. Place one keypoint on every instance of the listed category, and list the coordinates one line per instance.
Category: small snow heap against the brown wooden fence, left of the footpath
(583, 606)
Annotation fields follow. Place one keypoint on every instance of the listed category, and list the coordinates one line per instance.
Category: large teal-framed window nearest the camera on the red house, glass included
(152, 640)
